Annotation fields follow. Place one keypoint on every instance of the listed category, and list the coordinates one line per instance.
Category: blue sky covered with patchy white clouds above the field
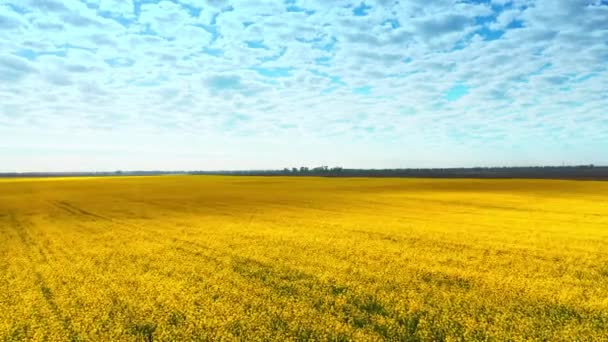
(215, 85)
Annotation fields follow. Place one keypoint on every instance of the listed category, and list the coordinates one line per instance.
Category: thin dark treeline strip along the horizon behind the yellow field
(582, 172)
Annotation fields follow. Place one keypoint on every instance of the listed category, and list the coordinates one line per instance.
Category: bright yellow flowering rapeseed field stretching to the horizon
(279, 258)
